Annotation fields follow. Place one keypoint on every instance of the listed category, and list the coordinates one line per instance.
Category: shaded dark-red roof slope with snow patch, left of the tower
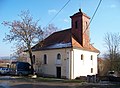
(61, 37)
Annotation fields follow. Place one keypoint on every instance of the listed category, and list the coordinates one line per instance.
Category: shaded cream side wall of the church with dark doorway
(50, 67)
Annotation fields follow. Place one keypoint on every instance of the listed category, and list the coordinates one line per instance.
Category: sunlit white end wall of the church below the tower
(83, 67)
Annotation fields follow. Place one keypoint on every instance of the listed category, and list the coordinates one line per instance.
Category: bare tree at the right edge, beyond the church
(112, 43)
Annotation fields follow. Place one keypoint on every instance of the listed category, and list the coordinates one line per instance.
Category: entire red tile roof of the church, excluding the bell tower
(61, 39)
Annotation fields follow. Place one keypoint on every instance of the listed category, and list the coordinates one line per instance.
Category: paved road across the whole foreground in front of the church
(16, 82)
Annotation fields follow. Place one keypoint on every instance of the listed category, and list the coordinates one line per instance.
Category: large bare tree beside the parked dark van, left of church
(24, 32)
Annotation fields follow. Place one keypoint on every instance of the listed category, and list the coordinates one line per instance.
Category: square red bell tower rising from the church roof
(80, 28)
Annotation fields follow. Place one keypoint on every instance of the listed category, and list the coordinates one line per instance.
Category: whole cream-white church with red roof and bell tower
(67, 53)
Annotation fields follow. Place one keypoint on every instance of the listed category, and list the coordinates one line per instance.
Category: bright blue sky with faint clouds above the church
(106, 19)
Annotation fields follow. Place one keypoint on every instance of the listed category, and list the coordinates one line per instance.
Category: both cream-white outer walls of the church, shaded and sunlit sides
(71, 64)
